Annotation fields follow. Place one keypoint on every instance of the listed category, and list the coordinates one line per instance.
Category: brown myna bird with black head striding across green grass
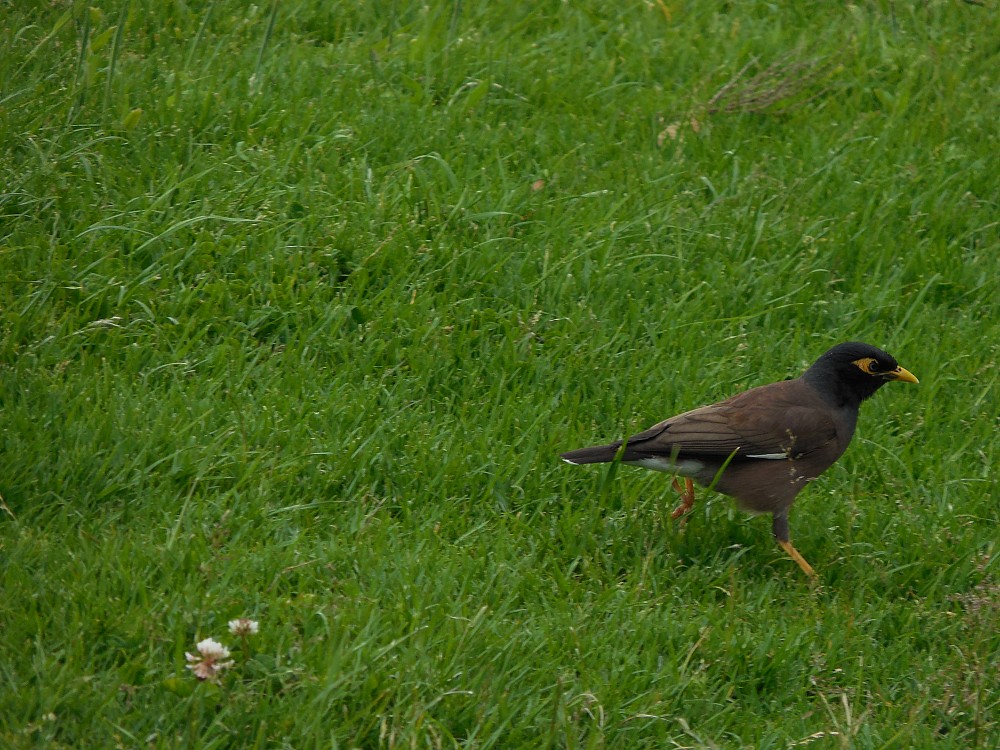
(762, 446)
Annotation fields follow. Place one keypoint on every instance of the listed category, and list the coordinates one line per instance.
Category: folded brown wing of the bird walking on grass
(780, 420)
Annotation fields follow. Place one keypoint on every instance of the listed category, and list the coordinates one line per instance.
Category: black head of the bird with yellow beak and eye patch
(849, 373)
